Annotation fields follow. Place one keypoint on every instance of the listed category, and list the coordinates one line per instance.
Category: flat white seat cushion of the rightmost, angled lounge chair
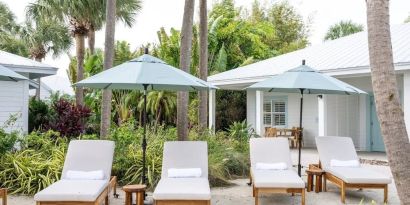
(359, 175)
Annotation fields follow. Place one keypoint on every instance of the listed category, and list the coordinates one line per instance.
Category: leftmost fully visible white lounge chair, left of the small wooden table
(82, 156)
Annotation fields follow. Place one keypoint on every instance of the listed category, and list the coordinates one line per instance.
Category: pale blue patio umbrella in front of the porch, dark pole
(305, 80)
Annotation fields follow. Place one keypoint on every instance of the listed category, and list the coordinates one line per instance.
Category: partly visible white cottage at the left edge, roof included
(14, 96)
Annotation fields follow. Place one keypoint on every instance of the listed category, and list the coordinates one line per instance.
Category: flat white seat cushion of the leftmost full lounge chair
(72, 190)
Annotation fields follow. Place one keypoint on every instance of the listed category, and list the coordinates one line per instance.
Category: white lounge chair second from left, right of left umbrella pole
(184, 190)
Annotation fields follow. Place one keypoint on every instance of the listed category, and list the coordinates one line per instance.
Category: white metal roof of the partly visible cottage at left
(24, 65)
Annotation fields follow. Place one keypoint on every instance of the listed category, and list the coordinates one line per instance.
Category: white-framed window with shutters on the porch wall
(274, 112)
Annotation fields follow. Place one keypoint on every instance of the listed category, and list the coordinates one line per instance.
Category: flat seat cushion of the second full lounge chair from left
(182, 189)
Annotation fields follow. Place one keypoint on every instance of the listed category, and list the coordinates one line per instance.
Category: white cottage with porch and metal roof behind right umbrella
(345, 58)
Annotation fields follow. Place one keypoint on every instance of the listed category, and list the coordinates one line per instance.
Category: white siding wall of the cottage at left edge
(14, 101)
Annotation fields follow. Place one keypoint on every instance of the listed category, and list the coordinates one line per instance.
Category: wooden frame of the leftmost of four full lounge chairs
(102, 197)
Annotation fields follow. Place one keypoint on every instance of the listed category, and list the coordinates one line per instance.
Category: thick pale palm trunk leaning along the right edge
(389, 110)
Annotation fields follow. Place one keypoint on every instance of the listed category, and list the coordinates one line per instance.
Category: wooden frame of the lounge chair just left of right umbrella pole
(256, 191)
